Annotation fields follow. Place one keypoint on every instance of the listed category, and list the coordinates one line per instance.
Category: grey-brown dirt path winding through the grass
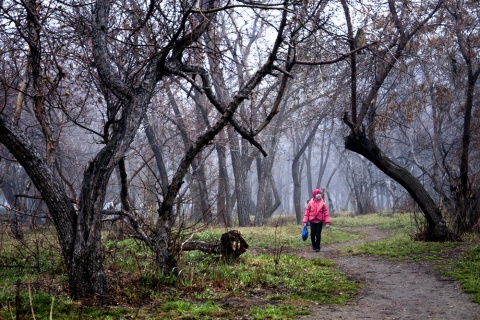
(395, 290)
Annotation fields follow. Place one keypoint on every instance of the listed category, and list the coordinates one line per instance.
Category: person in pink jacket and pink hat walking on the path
(317, 214)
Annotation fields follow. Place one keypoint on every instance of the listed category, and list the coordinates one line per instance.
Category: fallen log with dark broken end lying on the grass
(231, 245)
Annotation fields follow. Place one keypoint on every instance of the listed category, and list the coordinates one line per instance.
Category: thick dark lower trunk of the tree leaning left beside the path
(437, 229)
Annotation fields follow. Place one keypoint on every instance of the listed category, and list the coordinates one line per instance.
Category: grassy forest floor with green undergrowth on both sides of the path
(277, 278)
